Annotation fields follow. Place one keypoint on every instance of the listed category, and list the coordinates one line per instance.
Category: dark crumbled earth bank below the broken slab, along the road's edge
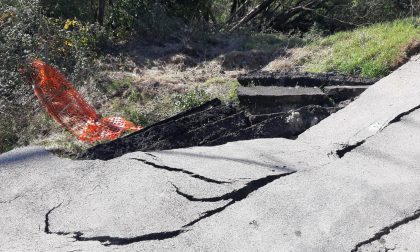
(210, 124)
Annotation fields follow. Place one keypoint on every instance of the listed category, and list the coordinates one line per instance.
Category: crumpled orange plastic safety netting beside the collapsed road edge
(68, 108)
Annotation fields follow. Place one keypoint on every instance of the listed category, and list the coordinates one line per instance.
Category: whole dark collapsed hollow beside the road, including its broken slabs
(271, 106)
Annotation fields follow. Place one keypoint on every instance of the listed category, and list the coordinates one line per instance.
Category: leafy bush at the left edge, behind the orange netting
(26, 34)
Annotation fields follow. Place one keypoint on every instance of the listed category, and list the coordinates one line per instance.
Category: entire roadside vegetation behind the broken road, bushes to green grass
(147, 60)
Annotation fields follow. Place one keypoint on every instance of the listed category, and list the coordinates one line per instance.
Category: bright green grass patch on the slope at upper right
(367, 51)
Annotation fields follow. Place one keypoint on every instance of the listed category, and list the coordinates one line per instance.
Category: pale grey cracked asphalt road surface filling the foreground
(351, 183)
